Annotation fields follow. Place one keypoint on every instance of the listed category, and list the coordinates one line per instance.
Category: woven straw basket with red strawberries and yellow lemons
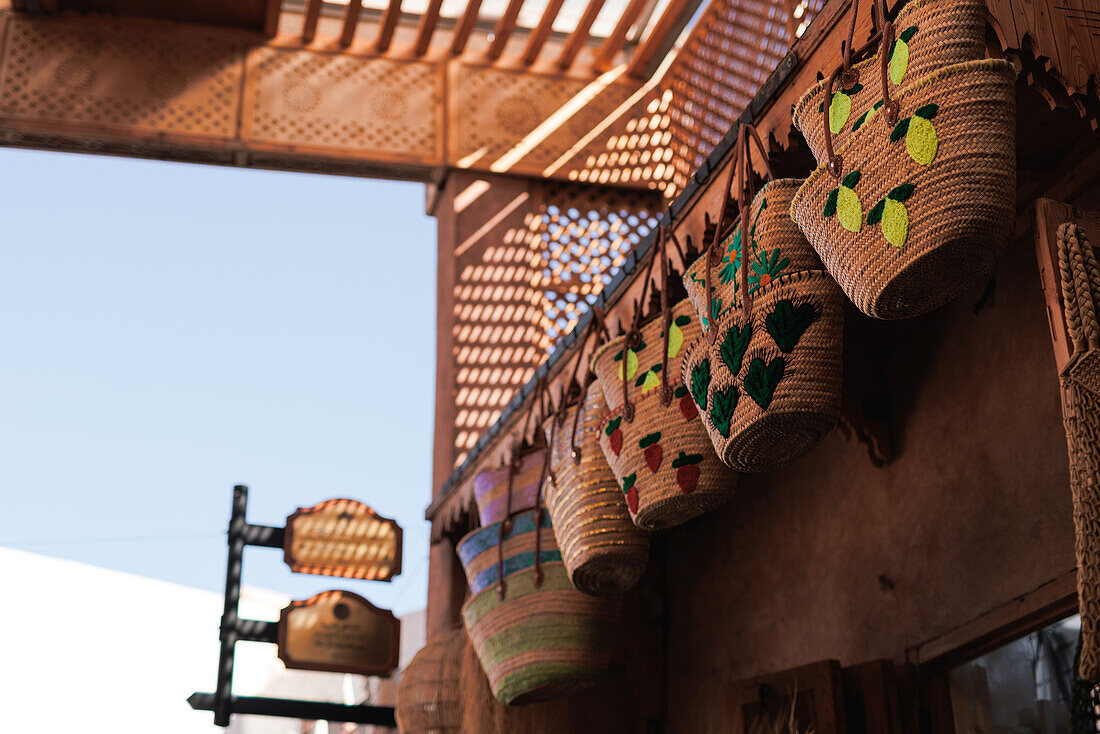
(663, 459)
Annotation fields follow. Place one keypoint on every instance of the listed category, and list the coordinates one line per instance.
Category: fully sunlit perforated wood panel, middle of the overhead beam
(333, 102)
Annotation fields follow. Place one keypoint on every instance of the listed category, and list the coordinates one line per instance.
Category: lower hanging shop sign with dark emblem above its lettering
(339, 632)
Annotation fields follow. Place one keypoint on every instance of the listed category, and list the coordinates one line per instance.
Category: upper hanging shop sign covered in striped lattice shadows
(345, 539)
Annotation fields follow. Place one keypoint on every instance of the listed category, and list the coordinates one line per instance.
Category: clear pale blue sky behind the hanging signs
(169, 331)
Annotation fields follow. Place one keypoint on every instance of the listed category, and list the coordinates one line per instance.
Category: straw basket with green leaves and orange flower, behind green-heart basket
(778, 246)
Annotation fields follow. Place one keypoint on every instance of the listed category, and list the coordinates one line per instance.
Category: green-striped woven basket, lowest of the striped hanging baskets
(541, 641)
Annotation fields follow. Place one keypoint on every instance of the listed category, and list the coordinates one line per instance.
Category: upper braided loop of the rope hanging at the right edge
(1081, 287)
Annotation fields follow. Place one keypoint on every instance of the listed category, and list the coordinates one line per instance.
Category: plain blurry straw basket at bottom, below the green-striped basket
(428, 697)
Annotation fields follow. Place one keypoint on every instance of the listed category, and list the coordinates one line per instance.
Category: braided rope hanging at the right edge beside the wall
(1081, 406)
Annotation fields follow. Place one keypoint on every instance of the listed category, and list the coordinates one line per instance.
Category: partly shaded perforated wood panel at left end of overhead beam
(119, 76)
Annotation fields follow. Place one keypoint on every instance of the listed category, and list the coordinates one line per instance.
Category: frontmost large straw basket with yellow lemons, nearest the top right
(943, 223)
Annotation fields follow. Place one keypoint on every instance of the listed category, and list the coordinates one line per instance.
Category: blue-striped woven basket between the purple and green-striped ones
(481, 551)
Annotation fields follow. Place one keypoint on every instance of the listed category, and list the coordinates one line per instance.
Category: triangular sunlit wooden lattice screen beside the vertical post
(525, 283)
